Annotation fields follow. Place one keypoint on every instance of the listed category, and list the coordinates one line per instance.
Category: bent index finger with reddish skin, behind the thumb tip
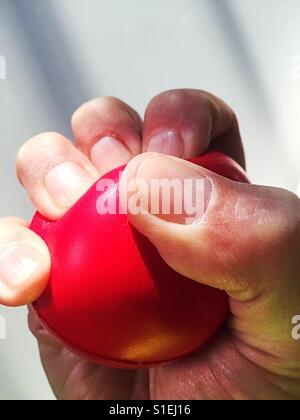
(186, 123)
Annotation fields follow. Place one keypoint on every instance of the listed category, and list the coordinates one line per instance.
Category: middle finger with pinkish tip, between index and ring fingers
(108, 131)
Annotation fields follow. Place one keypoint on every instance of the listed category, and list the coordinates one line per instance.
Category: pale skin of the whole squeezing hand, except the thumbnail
(248, 247)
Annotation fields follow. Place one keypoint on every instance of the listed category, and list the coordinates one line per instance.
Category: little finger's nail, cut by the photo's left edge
(17, 264)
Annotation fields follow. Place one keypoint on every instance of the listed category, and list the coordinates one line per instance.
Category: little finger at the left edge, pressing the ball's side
(24, 263)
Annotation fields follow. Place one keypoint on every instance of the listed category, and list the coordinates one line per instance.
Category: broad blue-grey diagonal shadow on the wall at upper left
(53, 54)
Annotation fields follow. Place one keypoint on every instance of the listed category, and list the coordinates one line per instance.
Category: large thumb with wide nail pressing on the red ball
(240, 238)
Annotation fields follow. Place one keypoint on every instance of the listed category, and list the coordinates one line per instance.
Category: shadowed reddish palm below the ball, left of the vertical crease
(74, 378)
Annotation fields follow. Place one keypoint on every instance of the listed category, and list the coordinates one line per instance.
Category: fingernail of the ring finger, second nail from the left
(66, 183)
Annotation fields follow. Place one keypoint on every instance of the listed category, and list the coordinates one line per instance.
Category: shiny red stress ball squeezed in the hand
(112, 299)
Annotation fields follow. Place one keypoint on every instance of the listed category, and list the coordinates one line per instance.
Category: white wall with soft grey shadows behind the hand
(60, 53)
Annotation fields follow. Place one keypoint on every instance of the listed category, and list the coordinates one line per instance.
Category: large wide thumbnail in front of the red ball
(173, 190)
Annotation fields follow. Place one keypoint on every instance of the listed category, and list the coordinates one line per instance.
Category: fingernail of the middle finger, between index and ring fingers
(109, 153)
